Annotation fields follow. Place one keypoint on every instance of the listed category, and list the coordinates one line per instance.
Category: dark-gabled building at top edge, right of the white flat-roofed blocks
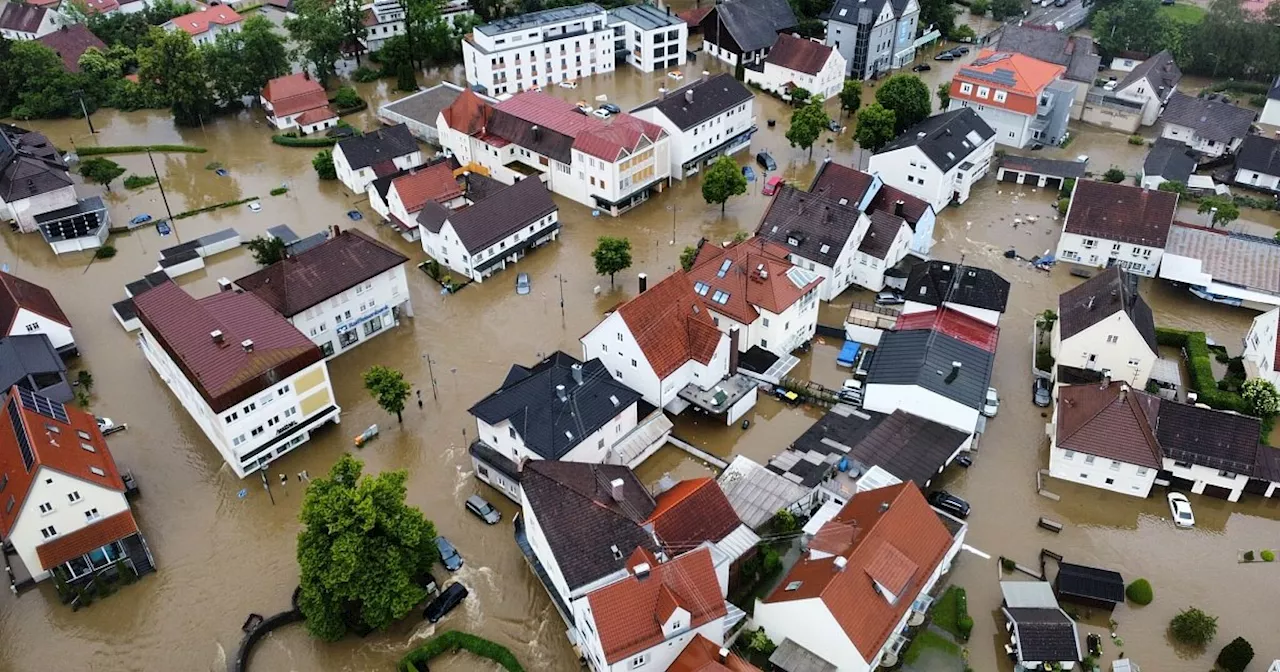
(744, 31)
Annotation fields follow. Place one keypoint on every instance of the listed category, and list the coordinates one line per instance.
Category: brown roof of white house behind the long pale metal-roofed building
(1122, 213)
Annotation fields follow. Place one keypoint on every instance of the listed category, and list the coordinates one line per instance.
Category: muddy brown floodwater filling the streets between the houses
(222, 556)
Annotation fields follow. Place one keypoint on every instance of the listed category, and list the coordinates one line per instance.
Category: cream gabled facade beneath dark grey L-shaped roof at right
(1113, 346)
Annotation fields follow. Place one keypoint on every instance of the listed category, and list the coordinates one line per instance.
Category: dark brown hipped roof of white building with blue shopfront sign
(328, 269)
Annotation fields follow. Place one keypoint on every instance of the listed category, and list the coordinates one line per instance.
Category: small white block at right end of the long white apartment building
(653, 39)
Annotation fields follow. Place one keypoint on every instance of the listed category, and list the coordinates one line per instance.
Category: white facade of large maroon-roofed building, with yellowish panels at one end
(241, 433)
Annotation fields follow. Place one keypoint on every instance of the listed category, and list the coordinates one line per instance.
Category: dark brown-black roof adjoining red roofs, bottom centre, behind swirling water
(582, 522)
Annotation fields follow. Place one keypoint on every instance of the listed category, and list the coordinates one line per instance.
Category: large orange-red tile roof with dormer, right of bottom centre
(899, 536)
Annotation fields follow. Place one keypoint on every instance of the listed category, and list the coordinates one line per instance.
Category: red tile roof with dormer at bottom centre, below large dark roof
(629, 614)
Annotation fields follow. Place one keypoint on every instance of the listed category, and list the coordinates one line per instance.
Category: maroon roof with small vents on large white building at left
(225, 373)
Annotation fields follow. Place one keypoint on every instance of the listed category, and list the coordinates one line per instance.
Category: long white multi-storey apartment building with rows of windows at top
(538, 49)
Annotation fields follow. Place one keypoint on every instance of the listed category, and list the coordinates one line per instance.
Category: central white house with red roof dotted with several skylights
(751, 287)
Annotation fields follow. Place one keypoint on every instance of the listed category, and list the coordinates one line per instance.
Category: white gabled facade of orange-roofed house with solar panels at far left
(71, 504)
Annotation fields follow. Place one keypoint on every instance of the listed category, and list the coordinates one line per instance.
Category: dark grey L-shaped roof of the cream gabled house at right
(1101, 298)
